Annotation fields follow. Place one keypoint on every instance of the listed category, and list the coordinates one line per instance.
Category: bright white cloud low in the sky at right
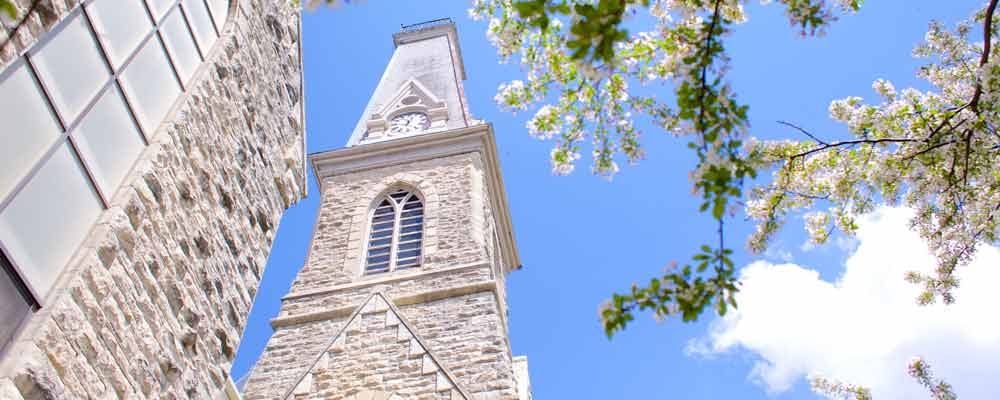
(864, 327)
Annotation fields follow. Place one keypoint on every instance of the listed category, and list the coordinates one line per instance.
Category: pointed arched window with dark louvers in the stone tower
(396, 233)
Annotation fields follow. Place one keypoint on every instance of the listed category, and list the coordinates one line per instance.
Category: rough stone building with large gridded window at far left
(148, 149)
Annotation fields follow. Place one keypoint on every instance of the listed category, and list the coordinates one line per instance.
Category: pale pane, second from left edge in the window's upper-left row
(71, 66)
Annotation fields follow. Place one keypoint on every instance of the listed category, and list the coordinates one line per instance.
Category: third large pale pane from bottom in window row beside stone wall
(150, 85)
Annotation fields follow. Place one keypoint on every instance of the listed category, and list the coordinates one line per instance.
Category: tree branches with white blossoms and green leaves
(935, 151)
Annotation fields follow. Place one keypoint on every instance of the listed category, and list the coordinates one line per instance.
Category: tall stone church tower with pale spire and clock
(403, 292)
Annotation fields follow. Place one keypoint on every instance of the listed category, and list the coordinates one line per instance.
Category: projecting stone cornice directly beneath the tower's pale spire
(474, 139)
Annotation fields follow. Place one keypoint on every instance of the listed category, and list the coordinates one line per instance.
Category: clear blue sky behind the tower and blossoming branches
(581, 237)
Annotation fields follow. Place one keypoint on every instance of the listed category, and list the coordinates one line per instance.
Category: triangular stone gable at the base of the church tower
(399, 363)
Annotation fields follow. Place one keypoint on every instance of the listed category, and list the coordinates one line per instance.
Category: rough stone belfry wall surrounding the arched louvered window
(335, 254)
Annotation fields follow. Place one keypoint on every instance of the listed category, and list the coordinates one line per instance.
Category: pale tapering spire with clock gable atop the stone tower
(421, 88)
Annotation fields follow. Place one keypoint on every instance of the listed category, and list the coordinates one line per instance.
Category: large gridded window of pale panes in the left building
(78, 107)
